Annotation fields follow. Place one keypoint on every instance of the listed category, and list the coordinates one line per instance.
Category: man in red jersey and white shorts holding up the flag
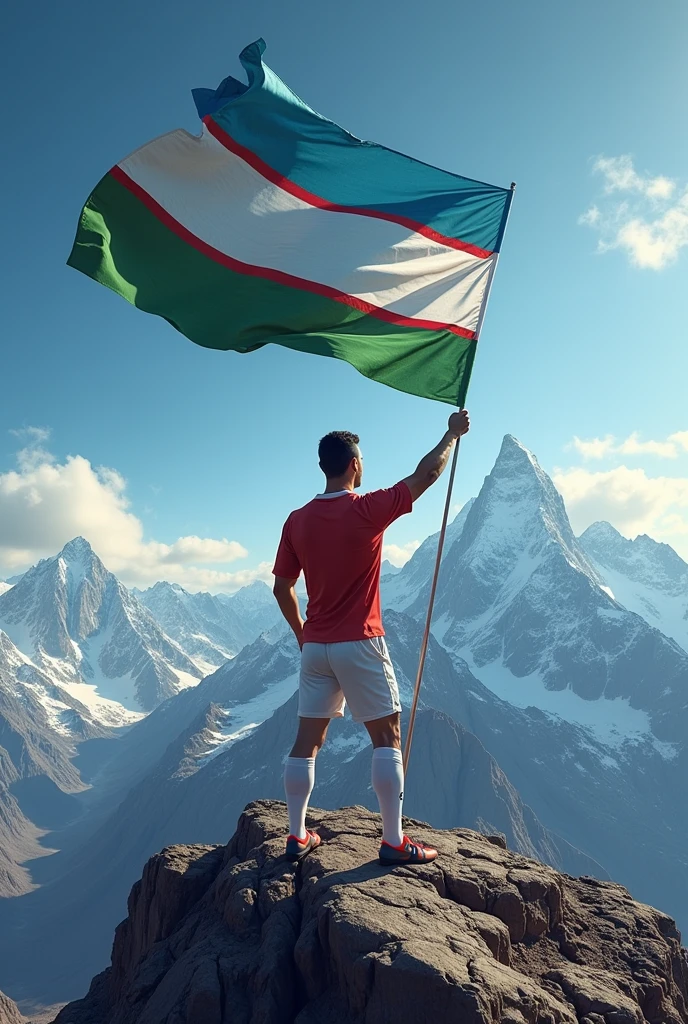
(336, 540)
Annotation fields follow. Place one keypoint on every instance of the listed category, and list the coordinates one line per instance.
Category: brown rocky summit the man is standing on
(238, 934)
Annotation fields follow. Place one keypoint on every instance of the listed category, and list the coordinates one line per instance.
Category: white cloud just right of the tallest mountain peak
(634, 502)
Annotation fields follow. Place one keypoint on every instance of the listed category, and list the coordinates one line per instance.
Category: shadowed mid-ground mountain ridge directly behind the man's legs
(203, 778)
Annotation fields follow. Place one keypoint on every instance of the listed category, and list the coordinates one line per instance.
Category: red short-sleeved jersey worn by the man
(337, 541)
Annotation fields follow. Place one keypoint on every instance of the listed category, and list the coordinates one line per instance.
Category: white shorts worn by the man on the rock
(356, 672)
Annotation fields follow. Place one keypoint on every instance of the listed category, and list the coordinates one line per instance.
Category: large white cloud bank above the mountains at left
(45, 504)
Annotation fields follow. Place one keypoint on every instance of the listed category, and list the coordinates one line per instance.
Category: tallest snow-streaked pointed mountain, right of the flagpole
(583, 704)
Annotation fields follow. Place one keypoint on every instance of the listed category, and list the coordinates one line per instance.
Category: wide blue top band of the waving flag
(316, 154)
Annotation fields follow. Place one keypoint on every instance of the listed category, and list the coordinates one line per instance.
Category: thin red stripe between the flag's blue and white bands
(323, 204)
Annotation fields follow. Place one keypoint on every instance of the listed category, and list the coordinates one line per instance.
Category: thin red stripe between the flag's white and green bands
(278, 276)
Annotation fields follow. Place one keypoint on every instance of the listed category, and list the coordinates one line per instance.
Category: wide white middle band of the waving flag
(232, 207)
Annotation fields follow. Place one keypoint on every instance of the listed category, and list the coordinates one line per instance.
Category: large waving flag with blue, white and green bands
(277, 226)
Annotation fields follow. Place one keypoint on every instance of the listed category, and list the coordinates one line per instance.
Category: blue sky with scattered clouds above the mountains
(182, 463)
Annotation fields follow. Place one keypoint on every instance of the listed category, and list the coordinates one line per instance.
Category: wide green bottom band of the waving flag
(121, 244)
